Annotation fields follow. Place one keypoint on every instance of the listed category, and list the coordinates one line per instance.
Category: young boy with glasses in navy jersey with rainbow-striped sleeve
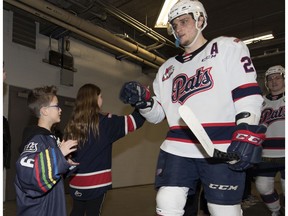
(39, 184)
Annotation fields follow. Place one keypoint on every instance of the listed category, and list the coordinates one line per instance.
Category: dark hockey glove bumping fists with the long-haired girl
(136, 94)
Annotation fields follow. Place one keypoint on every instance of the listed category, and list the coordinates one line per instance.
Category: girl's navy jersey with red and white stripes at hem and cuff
(93, 176)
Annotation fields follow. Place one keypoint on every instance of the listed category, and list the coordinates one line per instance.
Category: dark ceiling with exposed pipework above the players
(133, 21)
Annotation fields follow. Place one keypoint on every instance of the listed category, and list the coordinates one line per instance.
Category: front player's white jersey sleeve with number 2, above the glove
(242, 76)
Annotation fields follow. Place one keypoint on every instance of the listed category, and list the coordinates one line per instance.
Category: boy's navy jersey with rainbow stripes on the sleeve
(39, 183)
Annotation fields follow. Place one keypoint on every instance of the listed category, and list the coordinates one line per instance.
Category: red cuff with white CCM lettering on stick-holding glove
(247, 136)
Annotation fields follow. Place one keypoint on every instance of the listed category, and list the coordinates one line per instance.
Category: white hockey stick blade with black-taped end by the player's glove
(195, 126)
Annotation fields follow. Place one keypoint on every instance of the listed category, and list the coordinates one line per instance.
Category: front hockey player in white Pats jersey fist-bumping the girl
(217, 80)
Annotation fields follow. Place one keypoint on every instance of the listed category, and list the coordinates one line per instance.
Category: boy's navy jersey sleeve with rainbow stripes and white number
(39, 167)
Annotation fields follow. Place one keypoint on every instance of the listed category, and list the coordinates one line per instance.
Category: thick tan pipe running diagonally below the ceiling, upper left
(93, 30)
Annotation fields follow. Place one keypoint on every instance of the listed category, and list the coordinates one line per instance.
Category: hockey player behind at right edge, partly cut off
(273, 117)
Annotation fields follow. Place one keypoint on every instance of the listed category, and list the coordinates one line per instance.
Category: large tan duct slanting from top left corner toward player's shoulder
(88, 30)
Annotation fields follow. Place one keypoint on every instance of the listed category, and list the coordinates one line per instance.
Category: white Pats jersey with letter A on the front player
(217, 81)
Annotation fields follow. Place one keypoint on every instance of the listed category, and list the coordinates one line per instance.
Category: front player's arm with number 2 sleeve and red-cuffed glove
(246, 94)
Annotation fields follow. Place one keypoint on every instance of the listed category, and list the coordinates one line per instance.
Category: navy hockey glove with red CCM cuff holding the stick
(247, 144)
